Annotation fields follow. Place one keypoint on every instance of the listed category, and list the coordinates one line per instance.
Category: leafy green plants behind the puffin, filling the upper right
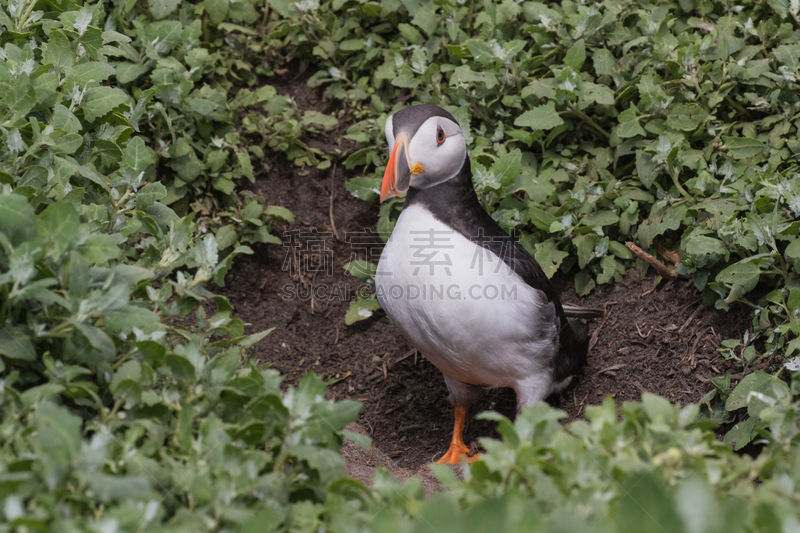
(589, 126)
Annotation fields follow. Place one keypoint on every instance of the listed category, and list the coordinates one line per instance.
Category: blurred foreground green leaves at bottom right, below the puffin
(647, 466)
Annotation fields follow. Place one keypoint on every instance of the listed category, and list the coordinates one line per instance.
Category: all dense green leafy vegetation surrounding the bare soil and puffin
(128, 128)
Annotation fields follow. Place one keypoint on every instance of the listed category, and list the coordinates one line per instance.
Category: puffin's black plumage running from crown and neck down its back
(455, 203)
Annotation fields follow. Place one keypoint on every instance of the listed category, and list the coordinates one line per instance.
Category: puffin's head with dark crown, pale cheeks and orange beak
(427, 148)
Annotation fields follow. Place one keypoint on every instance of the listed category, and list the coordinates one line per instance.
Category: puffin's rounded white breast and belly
(463, 307)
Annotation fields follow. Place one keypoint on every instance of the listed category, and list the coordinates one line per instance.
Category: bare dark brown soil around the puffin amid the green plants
(656, 339)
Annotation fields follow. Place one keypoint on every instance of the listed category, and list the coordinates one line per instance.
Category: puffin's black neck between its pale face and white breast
(453, 202)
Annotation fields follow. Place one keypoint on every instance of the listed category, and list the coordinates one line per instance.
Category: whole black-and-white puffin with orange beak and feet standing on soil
(465, 294)
